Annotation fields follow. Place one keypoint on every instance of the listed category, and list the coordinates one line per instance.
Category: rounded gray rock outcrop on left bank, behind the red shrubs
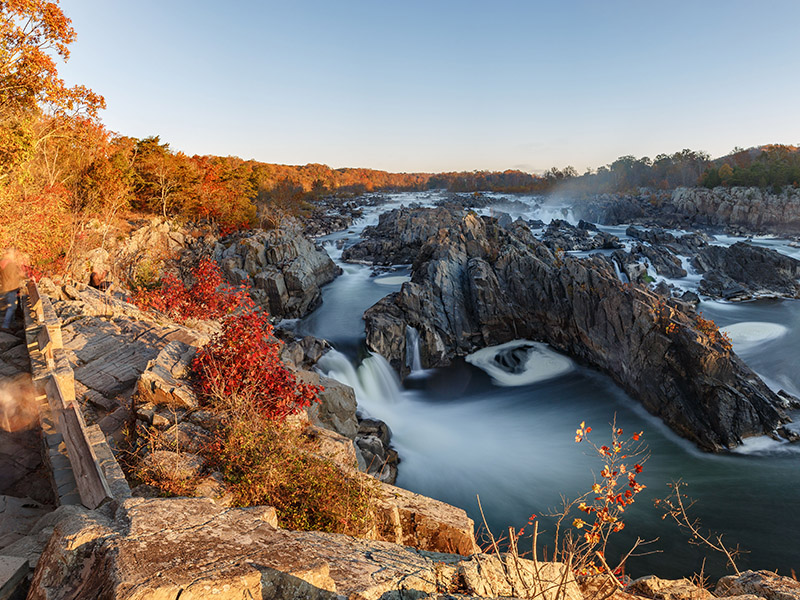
(284, 269)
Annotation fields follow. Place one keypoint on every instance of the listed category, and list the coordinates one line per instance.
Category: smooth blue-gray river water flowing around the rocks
(501, 425)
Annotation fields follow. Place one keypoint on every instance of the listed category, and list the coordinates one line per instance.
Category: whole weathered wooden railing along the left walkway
(55, 375)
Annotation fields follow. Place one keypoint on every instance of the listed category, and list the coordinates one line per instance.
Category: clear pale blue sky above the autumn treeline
(443, 85)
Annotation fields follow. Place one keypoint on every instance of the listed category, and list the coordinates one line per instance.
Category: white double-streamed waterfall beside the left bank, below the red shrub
(374, 382)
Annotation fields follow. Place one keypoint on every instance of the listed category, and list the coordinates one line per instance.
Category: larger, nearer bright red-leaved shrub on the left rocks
(242, 368)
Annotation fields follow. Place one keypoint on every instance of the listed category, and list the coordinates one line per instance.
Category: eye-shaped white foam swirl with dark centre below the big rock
(520, 362)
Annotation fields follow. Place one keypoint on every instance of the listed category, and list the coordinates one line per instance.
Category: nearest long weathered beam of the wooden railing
(92, 485)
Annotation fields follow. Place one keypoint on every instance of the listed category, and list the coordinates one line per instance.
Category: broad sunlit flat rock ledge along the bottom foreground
(192, 549)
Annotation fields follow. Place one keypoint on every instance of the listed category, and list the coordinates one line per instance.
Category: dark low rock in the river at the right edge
(743, 271)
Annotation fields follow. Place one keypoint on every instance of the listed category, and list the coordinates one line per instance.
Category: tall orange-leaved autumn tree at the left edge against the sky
(43, 126)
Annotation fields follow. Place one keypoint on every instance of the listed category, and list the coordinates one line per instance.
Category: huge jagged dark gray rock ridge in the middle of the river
(476, 285)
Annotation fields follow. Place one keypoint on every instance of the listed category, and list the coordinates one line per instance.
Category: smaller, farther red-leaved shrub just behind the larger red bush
(209, 297)
